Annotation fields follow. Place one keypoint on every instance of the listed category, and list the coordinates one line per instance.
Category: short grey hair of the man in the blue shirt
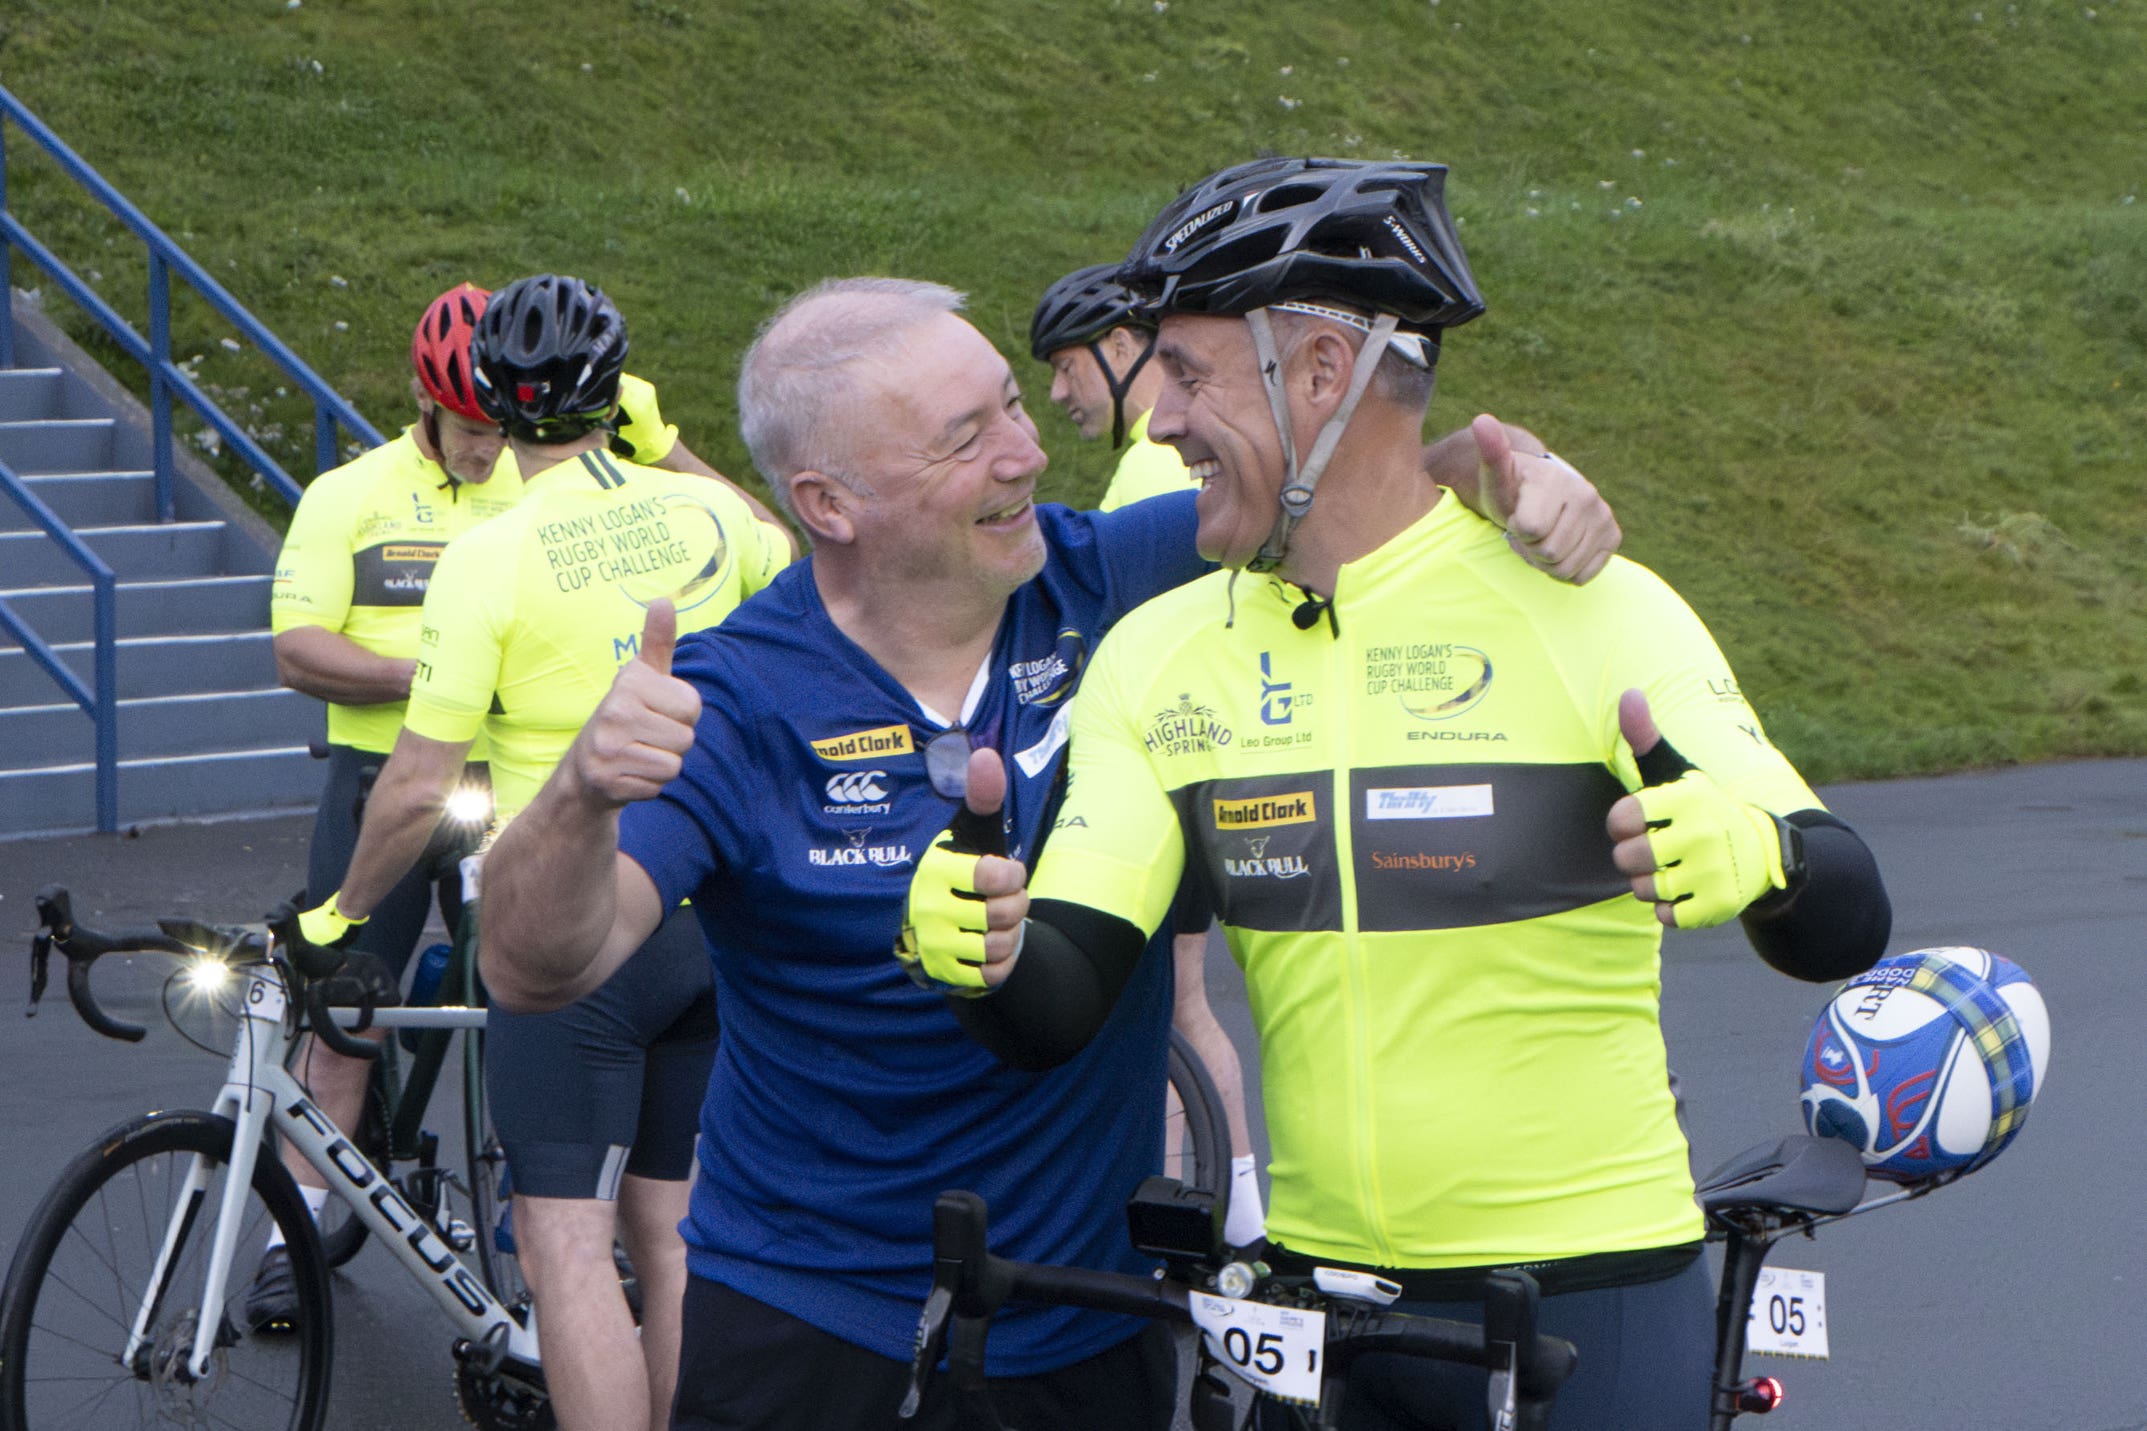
(800, 379)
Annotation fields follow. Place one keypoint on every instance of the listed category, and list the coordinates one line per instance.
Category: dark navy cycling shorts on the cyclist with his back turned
(611, 1085)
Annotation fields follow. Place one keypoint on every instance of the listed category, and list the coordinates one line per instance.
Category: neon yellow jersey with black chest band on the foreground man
(1399, 816)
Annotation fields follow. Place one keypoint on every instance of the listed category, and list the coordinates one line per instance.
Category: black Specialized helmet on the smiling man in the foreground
(1371, 235)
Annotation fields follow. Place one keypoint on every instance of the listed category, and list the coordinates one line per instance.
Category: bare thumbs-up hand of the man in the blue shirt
(643, 728)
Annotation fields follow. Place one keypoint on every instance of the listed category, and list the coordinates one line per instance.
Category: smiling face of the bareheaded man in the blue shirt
(952, 462)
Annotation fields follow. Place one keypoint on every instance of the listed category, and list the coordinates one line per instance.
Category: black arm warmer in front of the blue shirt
(1075, 964)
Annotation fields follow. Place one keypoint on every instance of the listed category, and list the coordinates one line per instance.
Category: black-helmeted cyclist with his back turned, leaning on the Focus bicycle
(523, 630)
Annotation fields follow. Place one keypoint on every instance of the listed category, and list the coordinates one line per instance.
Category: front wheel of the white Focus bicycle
(83, 1275)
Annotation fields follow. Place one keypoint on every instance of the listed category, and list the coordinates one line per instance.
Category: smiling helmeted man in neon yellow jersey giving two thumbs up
(1422, 791)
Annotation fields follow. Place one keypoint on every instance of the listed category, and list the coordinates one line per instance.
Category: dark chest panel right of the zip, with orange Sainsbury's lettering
(1461, 846)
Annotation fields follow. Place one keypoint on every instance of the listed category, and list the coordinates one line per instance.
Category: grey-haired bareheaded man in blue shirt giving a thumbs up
(783, 780)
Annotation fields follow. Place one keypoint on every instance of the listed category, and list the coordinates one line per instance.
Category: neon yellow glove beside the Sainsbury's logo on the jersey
(1714, 855)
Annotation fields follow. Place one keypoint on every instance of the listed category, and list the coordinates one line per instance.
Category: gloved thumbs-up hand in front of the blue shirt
(963, 924)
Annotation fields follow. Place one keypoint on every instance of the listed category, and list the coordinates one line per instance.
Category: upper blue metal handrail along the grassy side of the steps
(166, 259)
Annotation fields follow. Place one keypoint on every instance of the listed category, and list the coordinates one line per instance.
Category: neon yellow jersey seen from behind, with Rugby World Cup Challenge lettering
(529, 617)
